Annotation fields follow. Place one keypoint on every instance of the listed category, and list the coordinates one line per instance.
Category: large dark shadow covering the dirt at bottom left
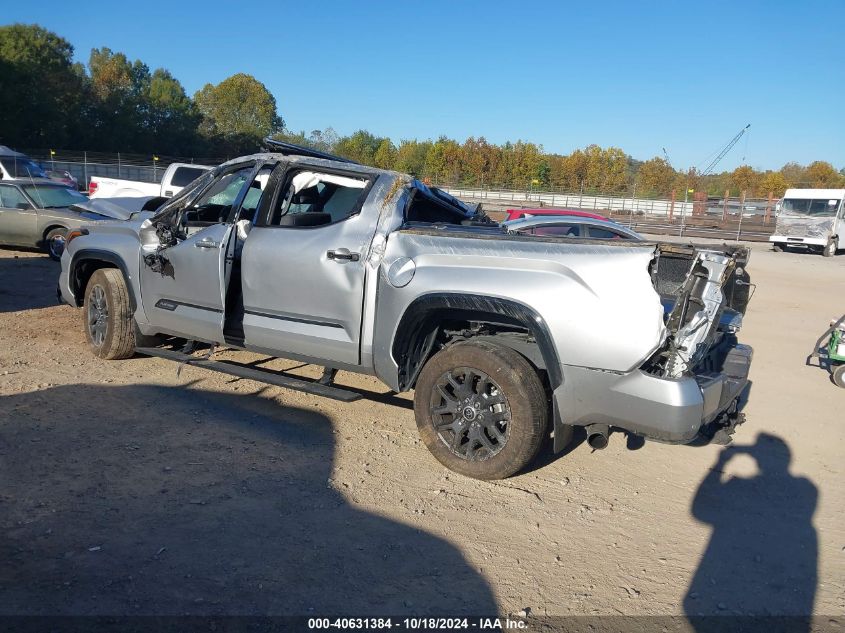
(168, 501)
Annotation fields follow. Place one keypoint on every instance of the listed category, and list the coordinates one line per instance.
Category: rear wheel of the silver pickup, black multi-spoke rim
(472, 439)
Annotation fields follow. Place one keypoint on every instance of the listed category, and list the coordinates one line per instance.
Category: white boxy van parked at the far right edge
(812, 218)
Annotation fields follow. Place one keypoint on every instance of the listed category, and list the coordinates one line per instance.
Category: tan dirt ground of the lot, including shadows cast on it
(126, 489)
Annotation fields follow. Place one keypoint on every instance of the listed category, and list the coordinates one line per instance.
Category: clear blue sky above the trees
(638, 75)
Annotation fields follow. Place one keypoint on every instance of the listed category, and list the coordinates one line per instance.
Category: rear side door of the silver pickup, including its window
(303, 266)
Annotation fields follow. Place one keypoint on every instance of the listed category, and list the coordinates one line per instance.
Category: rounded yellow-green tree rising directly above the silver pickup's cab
(237, 113)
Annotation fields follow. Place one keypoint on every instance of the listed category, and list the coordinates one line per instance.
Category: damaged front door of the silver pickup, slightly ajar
(183, 285)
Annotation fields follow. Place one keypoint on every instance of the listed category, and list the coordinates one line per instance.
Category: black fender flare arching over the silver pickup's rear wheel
(463, 305)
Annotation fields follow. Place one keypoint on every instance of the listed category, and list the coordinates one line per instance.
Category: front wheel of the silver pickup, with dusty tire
(107, 316)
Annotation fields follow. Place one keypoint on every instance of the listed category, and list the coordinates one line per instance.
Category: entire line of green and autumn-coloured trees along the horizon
(112, 104)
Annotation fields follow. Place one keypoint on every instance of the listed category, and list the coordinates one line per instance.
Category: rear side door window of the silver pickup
(311, 198)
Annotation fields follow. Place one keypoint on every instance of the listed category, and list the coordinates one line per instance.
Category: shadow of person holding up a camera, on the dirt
(762, 554)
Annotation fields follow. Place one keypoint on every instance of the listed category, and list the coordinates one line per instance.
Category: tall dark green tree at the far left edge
(41, 90)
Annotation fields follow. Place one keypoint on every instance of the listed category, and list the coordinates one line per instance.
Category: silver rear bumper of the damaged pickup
(667, 410)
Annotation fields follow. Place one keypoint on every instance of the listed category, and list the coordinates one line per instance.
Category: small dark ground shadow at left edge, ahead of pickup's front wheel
(27, 283)
